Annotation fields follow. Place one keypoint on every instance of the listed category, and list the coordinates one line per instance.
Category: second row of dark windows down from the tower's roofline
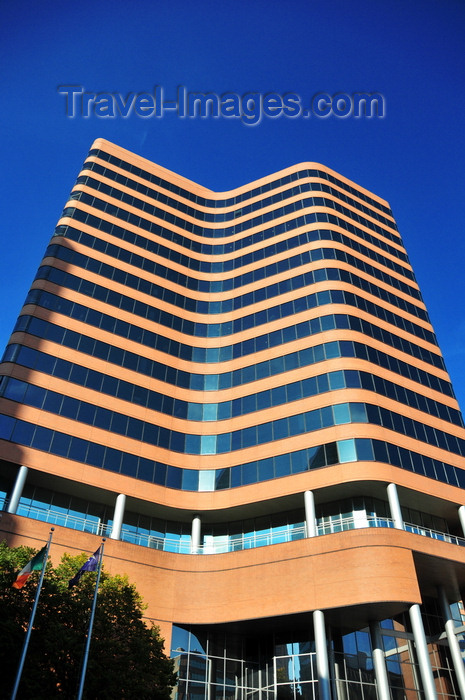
(225, 216)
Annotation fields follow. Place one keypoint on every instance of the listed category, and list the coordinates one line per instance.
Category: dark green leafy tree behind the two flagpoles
(126, 657)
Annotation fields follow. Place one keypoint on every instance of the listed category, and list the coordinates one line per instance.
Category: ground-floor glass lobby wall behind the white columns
(281, 665)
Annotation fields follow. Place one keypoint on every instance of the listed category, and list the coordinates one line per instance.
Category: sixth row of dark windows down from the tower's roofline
(261, 273)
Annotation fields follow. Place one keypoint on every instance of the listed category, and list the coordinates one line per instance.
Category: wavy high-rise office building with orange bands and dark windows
(243, 391)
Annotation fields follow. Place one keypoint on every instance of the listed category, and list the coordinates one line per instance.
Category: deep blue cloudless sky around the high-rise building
(412, 53)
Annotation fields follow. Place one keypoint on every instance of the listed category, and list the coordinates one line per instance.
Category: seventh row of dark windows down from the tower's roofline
(215, 307)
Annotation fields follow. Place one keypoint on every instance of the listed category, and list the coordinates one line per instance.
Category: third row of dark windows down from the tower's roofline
(207, 232)
